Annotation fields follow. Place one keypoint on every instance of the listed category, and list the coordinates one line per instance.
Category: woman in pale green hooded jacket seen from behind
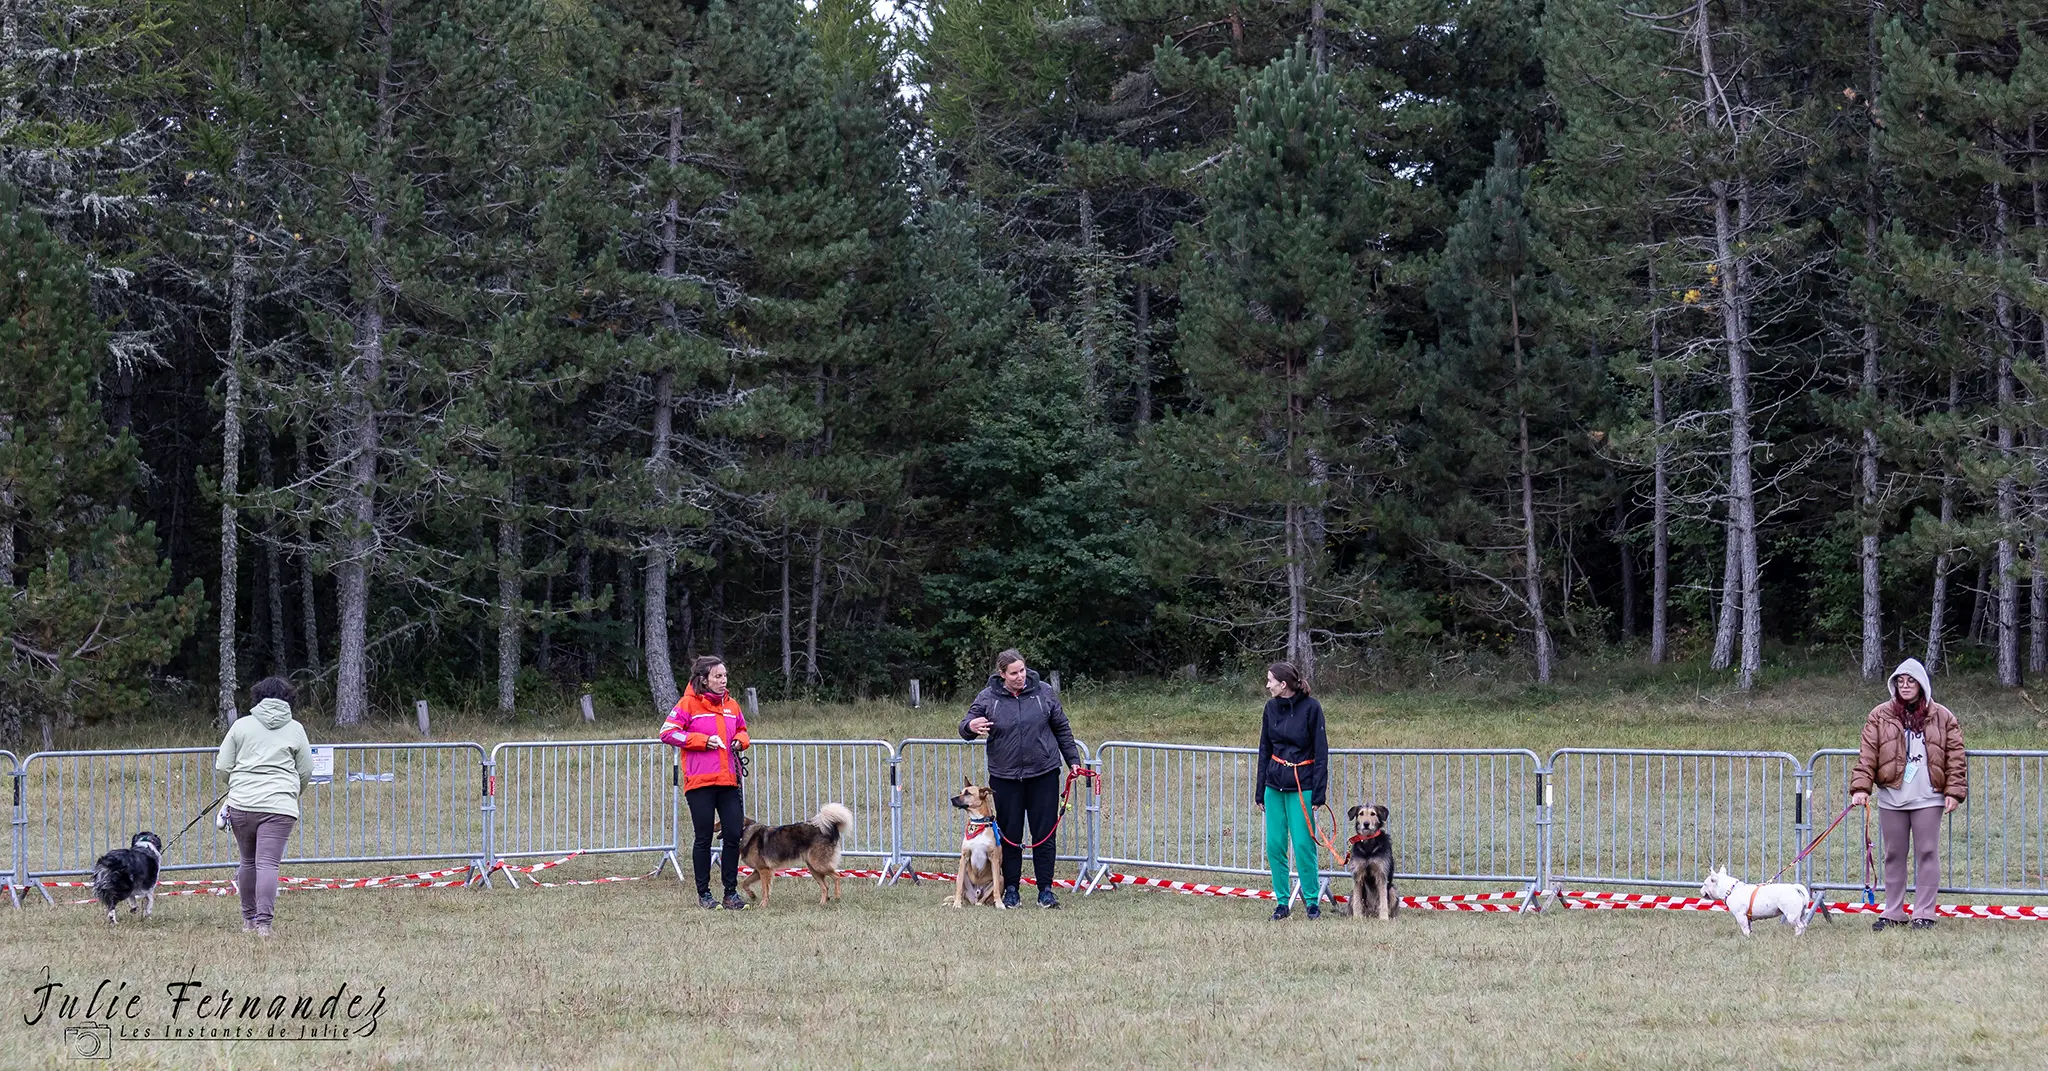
(267, 763)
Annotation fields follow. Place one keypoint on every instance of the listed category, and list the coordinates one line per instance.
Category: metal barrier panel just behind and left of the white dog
(1666, 818)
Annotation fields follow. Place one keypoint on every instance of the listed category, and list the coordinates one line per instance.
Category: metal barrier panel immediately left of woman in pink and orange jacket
(585, 796)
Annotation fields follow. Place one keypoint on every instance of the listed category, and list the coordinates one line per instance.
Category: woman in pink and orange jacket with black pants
(710, 732)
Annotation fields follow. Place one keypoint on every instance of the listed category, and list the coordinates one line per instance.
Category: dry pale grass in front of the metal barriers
(630, 976)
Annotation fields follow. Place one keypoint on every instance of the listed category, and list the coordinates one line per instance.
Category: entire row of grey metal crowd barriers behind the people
(1592, 816)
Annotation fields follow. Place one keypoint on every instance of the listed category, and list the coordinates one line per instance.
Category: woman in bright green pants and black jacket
(1293, 779)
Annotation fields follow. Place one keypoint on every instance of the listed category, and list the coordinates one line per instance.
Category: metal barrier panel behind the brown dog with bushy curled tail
(790, 779)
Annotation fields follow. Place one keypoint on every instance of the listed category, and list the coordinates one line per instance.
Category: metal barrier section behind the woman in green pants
(1457, 814)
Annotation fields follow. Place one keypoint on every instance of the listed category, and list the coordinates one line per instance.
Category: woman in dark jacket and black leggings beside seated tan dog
(1027, 732)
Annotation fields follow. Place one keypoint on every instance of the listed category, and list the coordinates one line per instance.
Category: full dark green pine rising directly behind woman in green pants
(1279, 464)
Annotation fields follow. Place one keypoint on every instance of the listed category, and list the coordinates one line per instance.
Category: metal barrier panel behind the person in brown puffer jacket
(1994, 845)
